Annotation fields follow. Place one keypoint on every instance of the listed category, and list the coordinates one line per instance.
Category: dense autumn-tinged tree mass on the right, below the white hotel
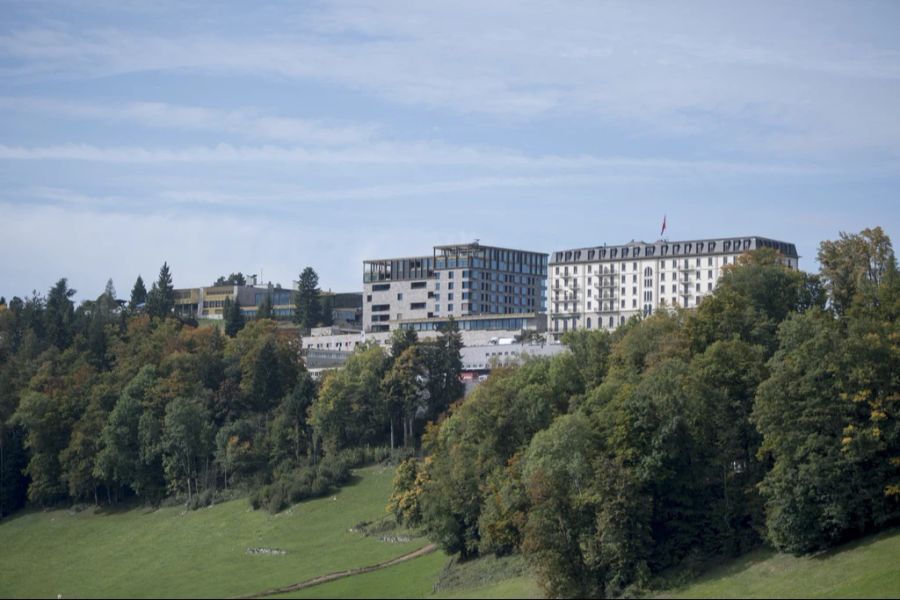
(766, 415)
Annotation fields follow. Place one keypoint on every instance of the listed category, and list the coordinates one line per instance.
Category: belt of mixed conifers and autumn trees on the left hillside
(118, 401)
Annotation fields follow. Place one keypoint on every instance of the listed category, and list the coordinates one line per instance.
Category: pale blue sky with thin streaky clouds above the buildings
(267, 137)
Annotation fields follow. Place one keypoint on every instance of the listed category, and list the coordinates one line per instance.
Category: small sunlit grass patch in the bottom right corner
(868, 568)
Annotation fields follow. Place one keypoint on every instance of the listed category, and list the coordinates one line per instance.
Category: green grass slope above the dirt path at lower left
(176, 553)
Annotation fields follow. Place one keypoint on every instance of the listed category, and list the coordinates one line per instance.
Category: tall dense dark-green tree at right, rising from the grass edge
(814, 495)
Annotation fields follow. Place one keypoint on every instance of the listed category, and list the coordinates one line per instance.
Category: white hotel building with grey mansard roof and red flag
(602, 287)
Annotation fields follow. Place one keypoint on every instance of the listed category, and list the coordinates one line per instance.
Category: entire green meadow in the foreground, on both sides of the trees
(171, 552)
